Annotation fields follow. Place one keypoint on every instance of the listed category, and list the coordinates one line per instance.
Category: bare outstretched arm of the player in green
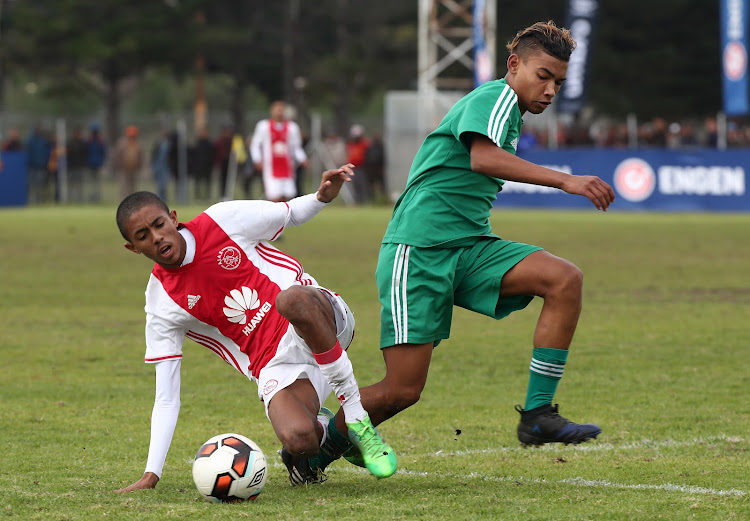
(489, 159)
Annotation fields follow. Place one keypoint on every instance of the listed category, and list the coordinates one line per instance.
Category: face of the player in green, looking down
(536, 80)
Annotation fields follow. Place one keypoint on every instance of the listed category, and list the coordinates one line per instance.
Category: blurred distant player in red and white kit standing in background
(276, 150)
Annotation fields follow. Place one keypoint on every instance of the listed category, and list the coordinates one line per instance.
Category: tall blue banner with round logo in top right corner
(733, 20)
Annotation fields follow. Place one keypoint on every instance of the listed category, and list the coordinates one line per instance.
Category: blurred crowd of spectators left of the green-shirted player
(153, 161)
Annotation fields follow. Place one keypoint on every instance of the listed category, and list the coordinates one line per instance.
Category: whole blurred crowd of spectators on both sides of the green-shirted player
(132, 159)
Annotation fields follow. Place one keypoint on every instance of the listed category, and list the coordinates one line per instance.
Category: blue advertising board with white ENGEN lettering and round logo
(652, 180)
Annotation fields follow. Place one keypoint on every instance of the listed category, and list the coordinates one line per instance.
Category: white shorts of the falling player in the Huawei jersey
(294, 359)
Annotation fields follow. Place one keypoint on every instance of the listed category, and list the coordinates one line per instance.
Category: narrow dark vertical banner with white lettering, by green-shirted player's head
(581, 20)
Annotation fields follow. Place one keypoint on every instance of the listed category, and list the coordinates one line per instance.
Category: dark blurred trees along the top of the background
(649, 58)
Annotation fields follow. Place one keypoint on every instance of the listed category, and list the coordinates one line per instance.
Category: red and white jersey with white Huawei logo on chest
(224, 299)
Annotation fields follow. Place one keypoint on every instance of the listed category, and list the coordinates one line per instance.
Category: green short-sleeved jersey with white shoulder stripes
(444, 202)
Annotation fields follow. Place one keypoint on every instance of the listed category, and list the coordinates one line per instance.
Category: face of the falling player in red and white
(153, 232)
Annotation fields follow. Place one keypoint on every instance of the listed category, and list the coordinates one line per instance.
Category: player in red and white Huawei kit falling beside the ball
(218, 281)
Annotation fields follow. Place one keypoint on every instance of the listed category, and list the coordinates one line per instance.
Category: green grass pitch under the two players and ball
(659, 361)
